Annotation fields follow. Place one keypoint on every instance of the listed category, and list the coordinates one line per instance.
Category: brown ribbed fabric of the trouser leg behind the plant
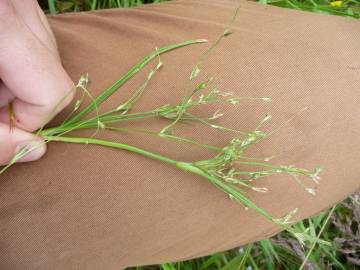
(87, 207)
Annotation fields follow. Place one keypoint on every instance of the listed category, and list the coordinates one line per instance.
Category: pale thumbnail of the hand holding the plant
(30, 150)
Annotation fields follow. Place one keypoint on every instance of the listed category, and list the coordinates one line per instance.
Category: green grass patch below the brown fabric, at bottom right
(339, 226)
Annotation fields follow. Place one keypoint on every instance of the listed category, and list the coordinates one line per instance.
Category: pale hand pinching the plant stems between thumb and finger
(32, 78)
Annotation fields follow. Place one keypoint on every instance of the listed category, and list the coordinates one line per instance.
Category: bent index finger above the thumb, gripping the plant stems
(32, 72)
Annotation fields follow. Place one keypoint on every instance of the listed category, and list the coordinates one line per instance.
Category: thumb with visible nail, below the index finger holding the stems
(15, 140)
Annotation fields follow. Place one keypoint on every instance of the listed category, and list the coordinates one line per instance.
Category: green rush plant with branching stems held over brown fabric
(225, 170)
